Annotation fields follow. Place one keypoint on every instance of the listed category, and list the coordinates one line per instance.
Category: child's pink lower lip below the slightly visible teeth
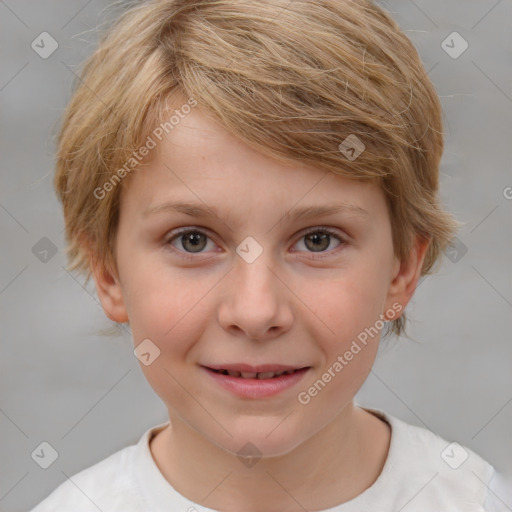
(256, 388)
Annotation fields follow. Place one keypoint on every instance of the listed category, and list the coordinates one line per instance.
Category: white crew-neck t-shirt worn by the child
(422, 473)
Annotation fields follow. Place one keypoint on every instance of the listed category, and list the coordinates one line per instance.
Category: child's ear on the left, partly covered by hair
(109, 292)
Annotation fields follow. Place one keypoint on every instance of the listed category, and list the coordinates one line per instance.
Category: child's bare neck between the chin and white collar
(335, 465)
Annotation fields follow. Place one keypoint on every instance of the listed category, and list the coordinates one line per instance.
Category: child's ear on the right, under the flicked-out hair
(406, 274)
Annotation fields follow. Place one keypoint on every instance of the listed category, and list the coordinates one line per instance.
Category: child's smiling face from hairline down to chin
(249, 273)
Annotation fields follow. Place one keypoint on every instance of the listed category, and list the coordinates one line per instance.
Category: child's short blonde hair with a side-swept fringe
(291, 79)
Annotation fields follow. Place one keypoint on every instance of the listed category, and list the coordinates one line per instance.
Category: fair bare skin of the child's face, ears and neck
(292, 305)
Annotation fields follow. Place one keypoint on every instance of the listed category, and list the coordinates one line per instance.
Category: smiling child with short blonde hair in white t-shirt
(295, 146)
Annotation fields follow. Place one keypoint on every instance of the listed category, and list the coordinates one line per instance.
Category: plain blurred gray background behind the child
(85, 394)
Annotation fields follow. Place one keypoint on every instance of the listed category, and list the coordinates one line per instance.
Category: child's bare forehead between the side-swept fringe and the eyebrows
(198, 162)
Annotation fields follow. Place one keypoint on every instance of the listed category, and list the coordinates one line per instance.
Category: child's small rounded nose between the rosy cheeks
(256, 302)
